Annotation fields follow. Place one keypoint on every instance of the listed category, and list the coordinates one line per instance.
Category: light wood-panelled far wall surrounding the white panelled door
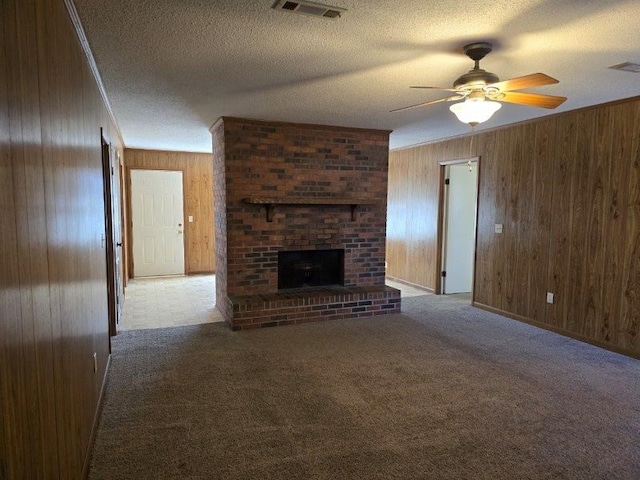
(197, 170)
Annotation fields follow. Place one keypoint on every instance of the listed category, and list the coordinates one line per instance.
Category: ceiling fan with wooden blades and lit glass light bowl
(482, 90)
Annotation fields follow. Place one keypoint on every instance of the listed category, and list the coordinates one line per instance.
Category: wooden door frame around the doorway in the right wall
(441, 218)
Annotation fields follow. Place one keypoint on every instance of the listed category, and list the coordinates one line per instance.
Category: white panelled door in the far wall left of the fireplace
(158, 222)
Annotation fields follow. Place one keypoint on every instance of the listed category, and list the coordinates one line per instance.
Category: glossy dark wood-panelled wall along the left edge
(53, 291)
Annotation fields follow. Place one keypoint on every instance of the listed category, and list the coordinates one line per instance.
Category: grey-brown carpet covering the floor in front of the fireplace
(442, 391)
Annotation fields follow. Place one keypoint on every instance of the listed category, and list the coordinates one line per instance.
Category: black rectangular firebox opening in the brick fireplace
(310, 268)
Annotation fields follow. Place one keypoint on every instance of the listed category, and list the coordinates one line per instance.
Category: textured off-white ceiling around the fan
(172, 68)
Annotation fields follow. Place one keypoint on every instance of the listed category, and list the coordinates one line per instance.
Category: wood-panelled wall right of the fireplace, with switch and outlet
(567, 190)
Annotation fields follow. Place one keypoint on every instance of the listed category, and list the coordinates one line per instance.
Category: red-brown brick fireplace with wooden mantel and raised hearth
(297, 191)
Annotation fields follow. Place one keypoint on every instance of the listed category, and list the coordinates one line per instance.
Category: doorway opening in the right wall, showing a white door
(458, 212)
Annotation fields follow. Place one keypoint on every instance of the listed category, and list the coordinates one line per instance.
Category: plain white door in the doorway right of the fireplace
(460, 227)
